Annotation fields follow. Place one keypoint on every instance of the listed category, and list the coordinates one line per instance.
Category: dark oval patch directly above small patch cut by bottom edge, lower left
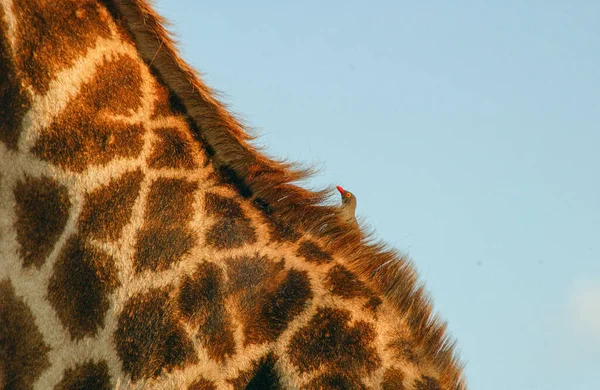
(82, 279)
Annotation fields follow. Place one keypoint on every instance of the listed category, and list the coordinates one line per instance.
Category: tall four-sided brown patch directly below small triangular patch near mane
(165, 237)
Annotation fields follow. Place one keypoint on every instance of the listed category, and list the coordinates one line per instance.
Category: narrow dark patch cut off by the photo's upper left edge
(14, 100)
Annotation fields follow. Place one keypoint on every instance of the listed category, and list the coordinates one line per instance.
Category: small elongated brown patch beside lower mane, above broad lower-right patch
(345, 284)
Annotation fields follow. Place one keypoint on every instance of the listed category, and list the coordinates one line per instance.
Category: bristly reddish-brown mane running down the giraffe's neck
(270, 185)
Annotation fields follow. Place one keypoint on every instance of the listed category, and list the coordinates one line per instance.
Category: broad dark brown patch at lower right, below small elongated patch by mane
(329, 340)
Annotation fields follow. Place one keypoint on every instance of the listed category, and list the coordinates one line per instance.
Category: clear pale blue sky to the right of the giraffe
(470, 134)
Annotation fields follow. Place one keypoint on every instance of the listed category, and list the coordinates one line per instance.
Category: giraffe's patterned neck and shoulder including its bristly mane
(144, 243)
